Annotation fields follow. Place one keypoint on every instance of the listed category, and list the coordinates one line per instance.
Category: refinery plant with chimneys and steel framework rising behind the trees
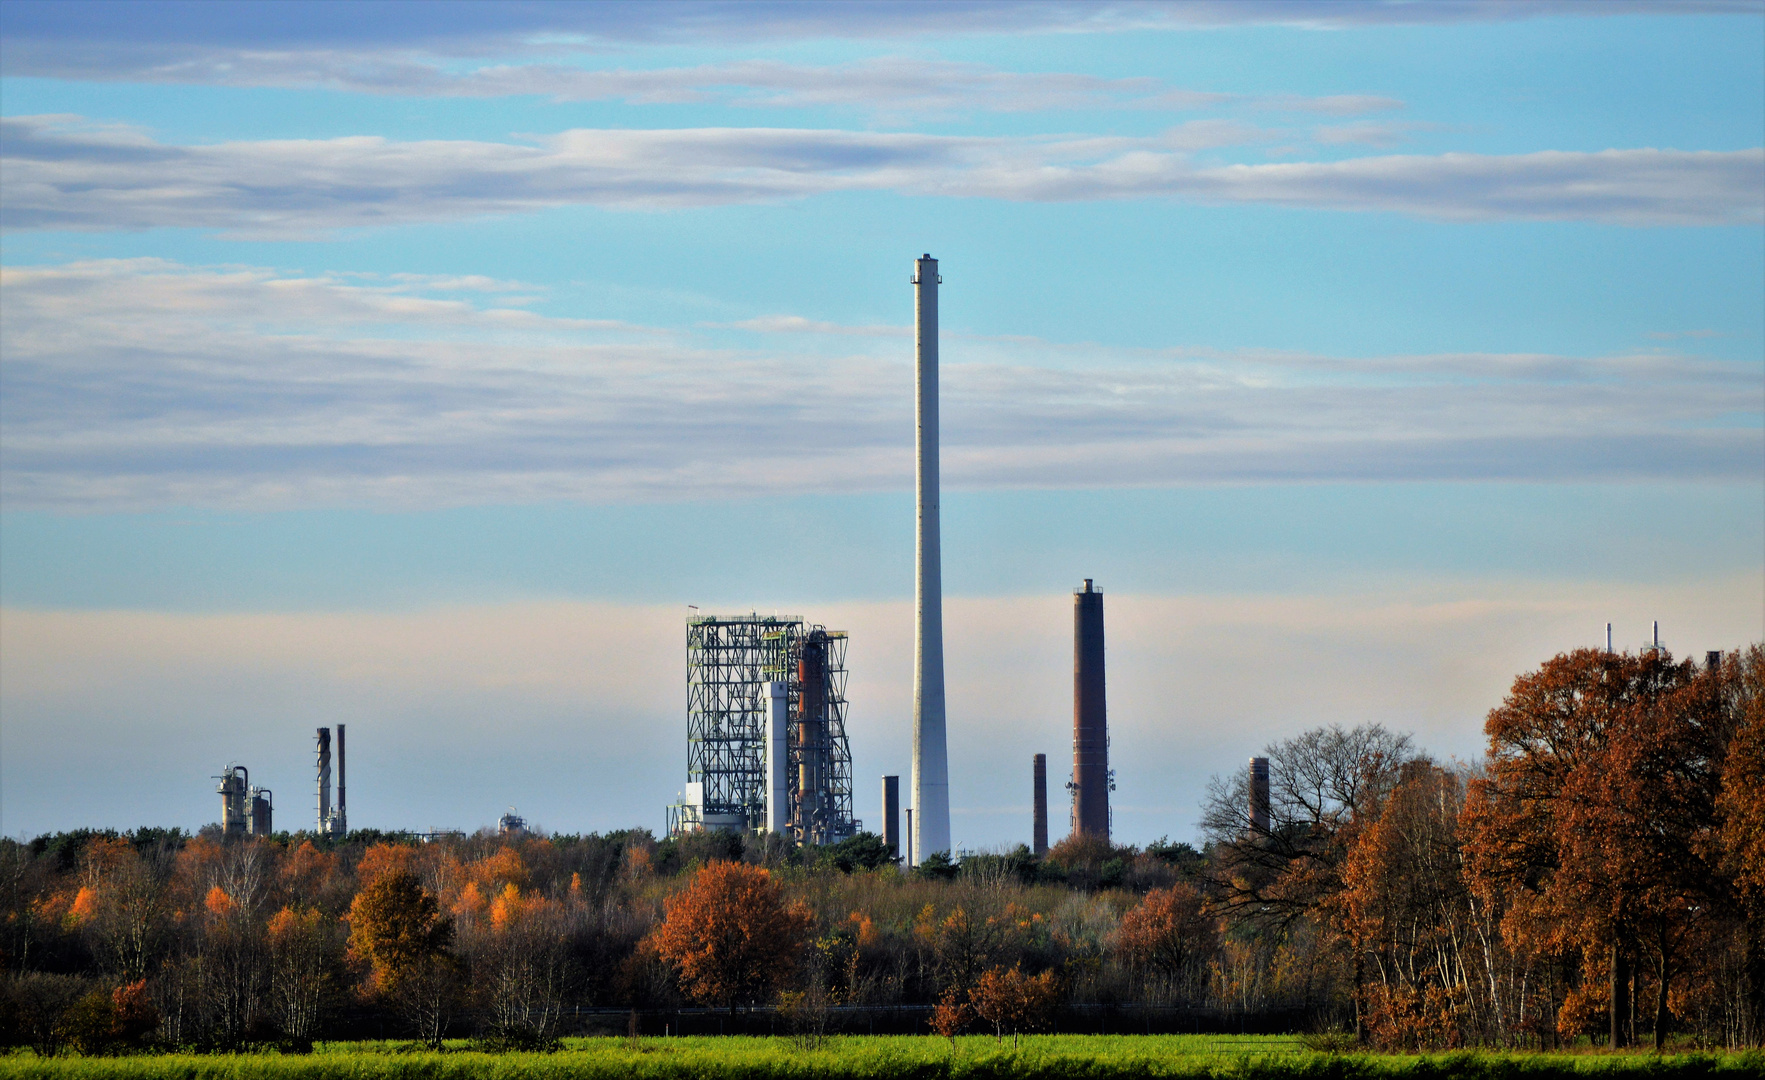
(767, 712)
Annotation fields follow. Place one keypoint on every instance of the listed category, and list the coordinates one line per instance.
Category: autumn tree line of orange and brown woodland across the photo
(1598, 876)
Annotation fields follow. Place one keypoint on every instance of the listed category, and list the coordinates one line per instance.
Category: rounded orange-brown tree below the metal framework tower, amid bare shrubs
(732, 936)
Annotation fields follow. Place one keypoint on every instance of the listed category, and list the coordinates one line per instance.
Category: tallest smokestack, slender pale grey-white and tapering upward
(931, 765)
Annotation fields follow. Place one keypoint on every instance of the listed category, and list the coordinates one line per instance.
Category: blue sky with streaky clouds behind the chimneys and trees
(416, 368)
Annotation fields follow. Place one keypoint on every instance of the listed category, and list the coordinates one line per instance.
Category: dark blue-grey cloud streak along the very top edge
(179, 31)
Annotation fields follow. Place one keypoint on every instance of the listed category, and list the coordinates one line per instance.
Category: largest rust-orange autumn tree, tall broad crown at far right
(1596, 816)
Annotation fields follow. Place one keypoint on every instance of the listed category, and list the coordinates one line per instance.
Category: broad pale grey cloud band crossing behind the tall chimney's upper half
(144, 384)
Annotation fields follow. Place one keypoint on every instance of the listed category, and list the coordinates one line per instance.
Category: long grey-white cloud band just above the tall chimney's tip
(59, 176)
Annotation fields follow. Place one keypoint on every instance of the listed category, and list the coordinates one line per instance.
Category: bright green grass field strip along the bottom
(882, 1058)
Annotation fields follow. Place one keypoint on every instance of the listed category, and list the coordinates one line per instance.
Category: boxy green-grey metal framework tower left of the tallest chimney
(730, 664)
